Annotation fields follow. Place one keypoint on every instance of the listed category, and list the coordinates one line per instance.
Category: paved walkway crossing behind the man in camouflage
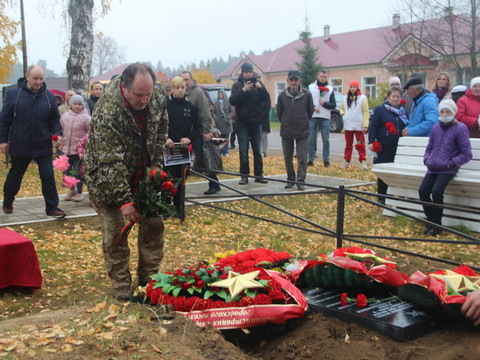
(32, 209)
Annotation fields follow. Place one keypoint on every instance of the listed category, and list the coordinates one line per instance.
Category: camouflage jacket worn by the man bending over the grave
(114, 145)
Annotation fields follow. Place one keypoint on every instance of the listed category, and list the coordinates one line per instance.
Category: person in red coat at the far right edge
(469, 108)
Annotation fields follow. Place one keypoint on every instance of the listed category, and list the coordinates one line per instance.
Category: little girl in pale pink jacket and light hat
(75, 125)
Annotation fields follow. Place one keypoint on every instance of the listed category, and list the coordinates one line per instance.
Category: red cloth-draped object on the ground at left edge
(18, 261)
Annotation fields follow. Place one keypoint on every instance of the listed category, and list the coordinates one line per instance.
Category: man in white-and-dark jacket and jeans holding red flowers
(323, 98)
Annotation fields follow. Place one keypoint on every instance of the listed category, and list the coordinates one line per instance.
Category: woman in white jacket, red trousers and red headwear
(354, 110)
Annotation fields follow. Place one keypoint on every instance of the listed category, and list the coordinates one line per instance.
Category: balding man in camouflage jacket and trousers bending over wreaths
(127, 134)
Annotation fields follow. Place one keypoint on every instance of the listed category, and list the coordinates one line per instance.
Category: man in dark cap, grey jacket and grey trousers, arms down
(294, 110)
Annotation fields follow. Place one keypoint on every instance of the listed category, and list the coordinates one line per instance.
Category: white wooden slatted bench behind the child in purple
(406, 173)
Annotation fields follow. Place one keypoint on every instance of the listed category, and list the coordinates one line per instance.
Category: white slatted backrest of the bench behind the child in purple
(411, 149)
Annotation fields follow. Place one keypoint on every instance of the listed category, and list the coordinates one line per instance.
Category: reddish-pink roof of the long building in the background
(355, 48)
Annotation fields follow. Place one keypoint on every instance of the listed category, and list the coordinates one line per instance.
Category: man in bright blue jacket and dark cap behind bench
(424, 113)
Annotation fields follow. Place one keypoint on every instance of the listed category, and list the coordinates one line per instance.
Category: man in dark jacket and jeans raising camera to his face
(248, 96)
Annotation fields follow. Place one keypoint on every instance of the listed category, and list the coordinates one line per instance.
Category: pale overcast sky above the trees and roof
(179, 32)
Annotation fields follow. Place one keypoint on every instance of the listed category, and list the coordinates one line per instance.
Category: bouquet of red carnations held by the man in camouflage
(153, 198)
